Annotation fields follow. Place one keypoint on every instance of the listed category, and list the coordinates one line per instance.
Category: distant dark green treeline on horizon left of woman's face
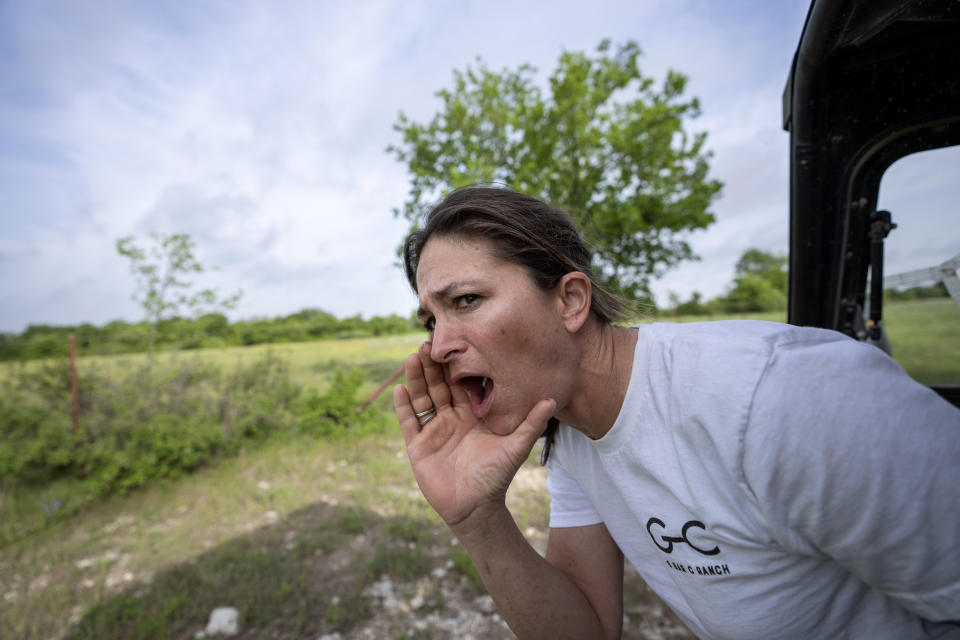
(211, 330)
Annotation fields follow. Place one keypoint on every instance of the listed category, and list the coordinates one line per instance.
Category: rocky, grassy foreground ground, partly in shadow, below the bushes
(342, 561)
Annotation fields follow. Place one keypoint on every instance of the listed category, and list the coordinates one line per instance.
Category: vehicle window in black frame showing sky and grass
(922, 321)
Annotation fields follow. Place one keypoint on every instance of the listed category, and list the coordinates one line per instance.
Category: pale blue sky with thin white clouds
(260, 129)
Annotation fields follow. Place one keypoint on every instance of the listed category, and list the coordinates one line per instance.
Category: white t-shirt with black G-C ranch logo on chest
(770, 481)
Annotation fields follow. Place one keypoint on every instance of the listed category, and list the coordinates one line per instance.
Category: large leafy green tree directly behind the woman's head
(603, 142)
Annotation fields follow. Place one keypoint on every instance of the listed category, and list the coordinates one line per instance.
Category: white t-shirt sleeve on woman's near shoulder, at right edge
(852, 460)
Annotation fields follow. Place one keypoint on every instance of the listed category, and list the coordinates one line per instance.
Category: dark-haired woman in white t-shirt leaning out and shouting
(765, 480)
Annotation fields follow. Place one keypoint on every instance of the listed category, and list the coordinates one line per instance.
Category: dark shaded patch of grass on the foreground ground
(281, 589)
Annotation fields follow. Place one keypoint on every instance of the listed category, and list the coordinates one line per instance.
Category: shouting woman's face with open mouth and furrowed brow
(499, 335)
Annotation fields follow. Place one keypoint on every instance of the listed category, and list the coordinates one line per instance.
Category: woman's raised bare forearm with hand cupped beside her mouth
(464, 470)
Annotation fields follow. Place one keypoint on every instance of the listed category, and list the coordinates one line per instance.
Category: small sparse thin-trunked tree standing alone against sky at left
(163, 290)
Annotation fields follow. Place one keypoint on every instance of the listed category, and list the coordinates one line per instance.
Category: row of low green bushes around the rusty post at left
(145, 424)
